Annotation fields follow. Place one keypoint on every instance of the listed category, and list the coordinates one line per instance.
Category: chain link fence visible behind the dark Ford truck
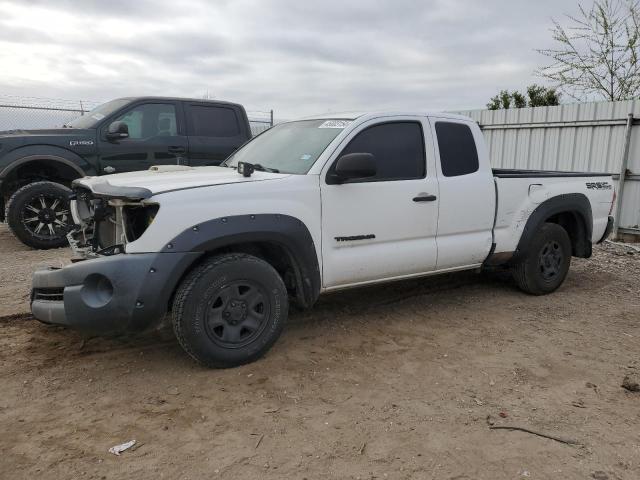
(35, 112)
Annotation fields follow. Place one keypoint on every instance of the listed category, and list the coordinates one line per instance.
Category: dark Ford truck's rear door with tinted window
(215, 131)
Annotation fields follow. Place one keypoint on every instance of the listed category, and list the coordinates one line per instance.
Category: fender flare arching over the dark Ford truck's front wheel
(31, 153)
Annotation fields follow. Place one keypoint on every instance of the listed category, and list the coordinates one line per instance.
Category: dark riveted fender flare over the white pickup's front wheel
(289, 233)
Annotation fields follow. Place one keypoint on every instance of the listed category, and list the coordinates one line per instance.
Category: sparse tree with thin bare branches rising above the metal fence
(596, 54)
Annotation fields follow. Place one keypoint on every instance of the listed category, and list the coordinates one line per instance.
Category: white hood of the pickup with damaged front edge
(161, 179)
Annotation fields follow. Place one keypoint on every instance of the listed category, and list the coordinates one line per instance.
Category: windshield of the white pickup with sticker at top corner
(289, 147)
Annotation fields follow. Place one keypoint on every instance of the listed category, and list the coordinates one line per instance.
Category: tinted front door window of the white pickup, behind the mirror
(398, 148)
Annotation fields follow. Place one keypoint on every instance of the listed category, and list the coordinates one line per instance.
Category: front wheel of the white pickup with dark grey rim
(230, 310)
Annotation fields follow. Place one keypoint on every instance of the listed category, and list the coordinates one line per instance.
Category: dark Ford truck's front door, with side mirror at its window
(156, 137)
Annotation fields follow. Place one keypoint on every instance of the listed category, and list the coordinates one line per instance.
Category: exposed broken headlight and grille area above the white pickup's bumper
(107, 218)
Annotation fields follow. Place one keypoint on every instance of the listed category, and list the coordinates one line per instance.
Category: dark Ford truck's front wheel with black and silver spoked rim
(38, 215)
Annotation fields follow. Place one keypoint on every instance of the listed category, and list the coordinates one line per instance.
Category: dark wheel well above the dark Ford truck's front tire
(37, 170)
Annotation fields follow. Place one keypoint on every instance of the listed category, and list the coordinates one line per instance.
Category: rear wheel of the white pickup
(547, 262)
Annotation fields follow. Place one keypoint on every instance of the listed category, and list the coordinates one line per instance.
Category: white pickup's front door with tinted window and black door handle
(382, 227)
